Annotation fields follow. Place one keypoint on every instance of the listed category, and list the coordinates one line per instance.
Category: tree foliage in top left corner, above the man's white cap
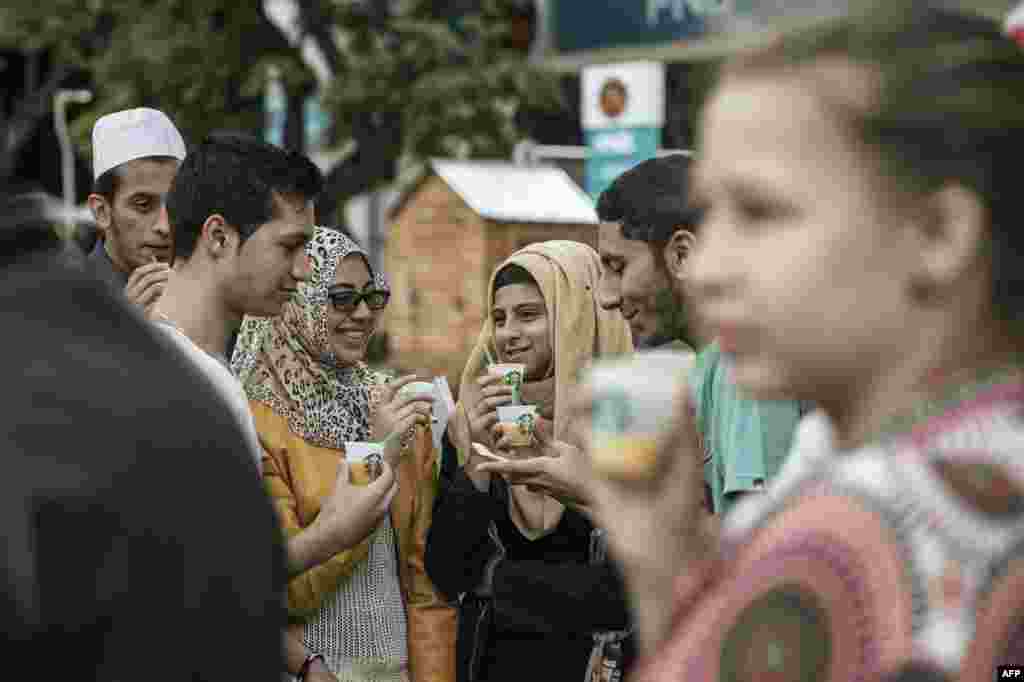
(192, 59)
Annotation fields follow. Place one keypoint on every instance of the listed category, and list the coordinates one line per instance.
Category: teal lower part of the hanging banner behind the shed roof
(613, 152)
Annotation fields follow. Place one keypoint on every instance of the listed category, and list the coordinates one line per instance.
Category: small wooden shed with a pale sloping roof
(447, 236)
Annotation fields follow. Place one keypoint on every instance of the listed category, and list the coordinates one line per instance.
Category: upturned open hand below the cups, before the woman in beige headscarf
(549, 466)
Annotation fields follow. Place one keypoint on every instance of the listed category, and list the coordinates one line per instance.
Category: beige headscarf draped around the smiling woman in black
(568, 274)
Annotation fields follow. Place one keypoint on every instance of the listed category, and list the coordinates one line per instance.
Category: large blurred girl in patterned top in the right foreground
(860, 251)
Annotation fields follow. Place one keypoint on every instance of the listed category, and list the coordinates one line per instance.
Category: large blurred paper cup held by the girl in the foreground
(633, 402)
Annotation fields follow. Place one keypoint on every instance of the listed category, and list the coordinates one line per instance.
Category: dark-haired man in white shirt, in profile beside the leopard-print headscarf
(242, 215)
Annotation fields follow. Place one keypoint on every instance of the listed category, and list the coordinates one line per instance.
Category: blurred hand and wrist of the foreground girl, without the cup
(657, 529)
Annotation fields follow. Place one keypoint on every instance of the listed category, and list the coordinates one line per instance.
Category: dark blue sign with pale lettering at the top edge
(581, 25)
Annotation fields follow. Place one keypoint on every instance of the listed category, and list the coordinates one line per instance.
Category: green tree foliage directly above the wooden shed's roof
(453, 79)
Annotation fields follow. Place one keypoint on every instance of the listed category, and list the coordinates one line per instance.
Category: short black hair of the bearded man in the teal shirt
(652, 200)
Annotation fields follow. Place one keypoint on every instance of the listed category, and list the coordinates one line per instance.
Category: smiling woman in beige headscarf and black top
(532, 595)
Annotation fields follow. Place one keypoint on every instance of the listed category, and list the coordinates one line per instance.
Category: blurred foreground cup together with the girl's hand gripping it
(648, 461)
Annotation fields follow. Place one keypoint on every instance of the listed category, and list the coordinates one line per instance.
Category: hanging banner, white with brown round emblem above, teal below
(623, 115)
